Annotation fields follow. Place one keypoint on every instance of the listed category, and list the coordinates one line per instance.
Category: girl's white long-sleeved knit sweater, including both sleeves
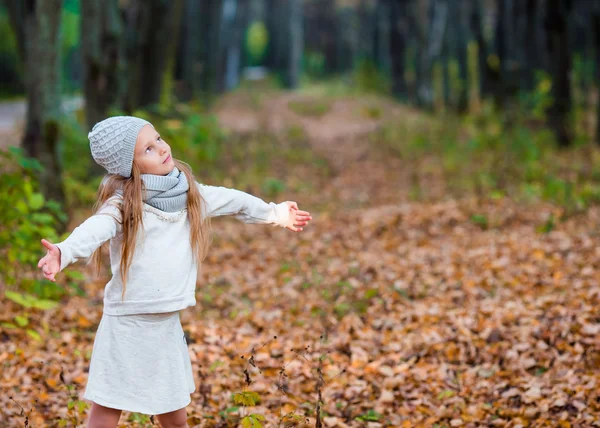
(162, 276)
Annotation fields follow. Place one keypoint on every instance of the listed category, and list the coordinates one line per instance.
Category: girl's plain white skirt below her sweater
(140, 363)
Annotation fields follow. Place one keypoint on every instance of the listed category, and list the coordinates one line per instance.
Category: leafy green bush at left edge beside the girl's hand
(26, 218)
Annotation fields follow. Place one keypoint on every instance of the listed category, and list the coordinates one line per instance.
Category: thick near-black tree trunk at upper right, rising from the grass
(560, 67)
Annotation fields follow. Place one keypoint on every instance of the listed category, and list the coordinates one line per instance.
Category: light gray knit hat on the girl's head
(112, 143)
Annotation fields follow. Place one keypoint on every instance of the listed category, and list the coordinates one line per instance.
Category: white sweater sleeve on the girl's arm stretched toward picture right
(243, 206)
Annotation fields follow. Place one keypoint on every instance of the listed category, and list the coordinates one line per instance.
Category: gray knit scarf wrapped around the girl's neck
(166, 192)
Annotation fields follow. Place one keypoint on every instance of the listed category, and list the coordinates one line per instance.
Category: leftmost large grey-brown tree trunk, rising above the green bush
(37, 26)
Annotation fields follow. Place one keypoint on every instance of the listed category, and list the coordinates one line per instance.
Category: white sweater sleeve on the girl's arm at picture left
(91, 234)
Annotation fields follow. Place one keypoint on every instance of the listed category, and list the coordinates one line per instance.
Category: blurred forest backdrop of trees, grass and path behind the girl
(489, 98)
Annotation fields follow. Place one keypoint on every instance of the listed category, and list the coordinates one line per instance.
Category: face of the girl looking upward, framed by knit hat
(152, 154)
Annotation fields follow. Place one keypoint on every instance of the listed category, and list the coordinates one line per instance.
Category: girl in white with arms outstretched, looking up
(157, 218)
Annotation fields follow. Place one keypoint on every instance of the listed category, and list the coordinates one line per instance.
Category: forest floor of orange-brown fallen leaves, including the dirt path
(398, 312)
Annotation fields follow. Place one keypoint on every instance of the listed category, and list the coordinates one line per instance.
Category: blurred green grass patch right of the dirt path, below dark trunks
(485, 156)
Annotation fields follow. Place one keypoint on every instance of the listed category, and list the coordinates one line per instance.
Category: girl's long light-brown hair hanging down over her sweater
(131, 209)
